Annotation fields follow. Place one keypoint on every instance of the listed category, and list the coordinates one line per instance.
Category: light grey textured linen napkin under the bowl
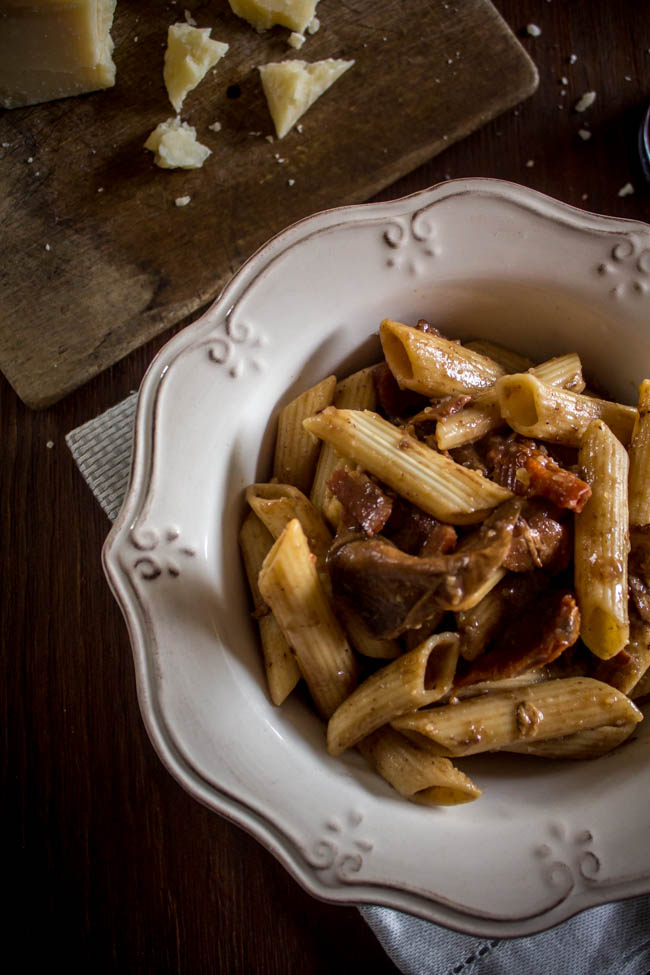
(610, 940)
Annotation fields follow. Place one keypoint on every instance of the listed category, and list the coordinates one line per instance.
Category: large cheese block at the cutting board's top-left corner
(54, 48)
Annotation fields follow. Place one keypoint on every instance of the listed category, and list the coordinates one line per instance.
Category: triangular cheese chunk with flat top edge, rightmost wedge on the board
(291, 87)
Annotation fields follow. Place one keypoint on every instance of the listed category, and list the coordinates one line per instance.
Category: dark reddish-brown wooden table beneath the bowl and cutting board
(117, 867)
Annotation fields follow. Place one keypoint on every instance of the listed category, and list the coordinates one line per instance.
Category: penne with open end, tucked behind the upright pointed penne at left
(276, 504)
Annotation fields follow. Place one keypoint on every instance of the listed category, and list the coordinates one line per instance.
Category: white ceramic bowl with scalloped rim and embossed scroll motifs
(480, 258)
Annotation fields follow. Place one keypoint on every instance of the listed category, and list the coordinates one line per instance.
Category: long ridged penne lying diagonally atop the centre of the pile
(430, 480)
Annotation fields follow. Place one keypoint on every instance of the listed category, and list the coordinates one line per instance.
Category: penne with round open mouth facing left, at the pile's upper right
(537, 409)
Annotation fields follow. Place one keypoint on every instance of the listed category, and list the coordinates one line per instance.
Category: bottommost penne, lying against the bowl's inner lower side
(414, 773)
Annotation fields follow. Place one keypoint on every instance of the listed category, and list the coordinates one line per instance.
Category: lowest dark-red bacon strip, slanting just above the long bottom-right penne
(533, 639)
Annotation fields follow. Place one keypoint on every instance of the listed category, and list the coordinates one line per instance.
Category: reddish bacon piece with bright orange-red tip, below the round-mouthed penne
(526, 468)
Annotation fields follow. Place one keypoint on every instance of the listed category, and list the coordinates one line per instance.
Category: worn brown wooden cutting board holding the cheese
(96, 258)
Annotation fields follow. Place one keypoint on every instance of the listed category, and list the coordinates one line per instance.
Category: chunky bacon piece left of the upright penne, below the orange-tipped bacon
(542, 539)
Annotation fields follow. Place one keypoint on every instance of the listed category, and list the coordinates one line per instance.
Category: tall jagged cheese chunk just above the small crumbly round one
(189, 56)
